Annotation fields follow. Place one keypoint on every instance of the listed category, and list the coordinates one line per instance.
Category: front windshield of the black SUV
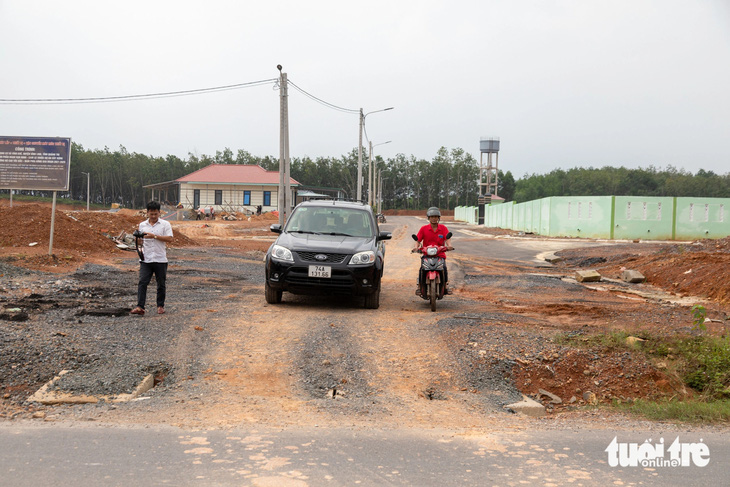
(327, 220)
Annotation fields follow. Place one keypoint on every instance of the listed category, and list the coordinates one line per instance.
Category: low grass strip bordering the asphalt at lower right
(690, 411)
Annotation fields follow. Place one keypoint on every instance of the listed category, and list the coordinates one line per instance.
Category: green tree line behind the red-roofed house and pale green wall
(448, 180)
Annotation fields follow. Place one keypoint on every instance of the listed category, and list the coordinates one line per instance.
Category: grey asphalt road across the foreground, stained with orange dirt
(97, 455)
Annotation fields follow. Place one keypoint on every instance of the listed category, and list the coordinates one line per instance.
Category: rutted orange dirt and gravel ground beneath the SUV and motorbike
(222, 357)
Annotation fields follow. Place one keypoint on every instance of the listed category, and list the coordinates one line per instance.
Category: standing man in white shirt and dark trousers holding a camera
(156, 234)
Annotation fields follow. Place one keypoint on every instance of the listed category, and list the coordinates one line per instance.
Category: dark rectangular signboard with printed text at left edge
(40, 163)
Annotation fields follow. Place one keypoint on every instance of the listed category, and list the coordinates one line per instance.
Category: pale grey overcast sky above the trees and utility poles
(562, 83)
